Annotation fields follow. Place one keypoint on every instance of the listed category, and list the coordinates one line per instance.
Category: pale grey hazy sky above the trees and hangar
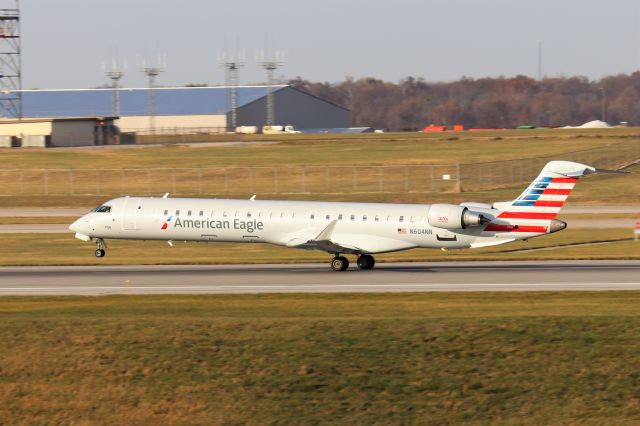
(64, 42)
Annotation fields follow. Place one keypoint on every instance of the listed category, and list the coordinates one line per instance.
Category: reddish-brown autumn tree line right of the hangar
(502, 102)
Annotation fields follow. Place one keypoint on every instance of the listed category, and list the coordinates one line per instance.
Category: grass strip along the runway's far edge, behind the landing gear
(64, 249)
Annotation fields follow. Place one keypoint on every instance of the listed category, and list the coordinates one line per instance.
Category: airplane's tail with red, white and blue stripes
(536, 210)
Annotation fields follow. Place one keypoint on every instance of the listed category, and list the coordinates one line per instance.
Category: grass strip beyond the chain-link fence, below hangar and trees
(370, 149)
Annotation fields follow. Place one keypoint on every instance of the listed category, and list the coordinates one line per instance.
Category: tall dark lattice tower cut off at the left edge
(10, 60)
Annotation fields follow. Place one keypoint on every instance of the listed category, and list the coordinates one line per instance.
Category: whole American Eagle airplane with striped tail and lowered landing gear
(339, 228)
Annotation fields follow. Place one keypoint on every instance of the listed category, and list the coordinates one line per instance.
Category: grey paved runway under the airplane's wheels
(317, 278)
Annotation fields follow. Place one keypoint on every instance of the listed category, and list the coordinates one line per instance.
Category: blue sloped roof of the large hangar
(169, 101)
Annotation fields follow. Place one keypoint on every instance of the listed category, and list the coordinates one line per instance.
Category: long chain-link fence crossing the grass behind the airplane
(283, 180)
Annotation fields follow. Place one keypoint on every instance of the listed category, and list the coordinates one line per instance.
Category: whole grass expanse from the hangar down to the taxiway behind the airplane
(329, 168)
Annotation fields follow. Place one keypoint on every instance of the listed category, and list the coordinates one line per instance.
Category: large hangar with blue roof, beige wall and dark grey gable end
(188, 108)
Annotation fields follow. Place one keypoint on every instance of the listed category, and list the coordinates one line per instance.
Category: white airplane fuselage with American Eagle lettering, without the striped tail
(361, 227)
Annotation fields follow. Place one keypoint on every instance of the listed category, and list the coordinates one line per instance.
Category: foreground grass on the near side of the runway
(507, 358)
